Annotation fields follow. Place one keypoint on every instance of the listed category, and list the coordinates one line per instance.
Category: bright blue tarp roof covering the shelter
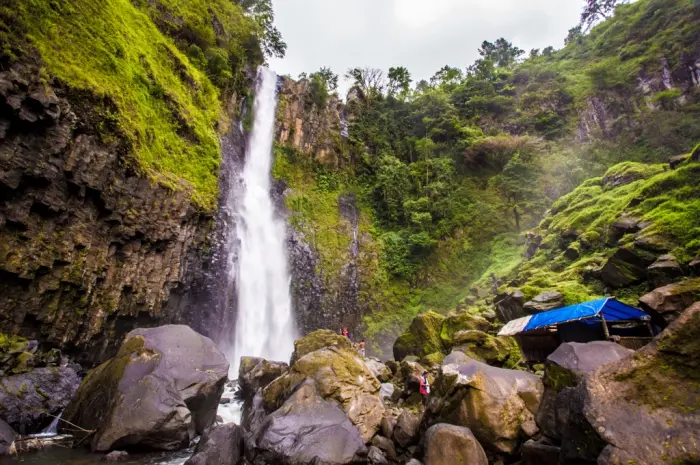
(611, 309)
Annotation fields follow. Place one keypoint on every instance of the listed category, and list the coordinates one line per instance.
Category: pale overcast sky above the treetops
(422, 35)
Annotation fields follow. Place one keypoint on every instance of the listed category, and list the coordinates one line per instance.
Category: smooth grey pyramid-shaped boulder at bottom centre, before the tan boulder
(308, 429)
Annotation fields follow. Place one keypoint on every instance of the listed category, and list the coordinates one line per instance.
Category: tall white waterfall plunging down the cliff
(264, 323)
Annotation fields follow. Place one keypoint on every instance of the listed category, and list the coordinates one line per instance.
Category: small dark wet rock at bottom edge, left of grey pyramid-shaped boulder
(220, 445)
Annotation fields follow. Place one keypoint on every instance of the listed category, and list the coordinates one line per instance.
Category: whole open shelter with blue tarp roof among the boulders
(603, 319)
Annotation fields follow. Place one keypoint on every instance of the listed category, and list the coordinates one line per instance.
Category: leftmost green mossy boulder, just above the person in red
(422, 337)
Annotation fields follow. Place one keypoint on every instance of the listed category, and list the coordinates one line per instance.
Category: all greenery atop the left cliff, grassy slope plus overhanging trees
(155, 70)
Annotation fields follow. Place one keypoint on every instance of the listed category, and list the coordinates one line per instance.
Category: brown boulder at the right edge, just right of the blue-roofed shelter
(666, 303)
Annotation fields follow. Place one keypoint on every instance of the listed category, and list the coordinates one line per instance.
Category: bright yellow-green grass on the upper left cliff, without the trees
(167, 108)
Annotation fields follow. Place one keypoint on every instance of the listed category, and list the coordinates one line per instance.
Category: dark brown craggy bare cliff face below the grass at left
(89, 249)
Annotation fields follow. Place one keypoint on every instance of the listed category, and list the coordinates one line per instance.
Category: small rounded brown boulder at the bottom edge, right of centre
(450, 444)
